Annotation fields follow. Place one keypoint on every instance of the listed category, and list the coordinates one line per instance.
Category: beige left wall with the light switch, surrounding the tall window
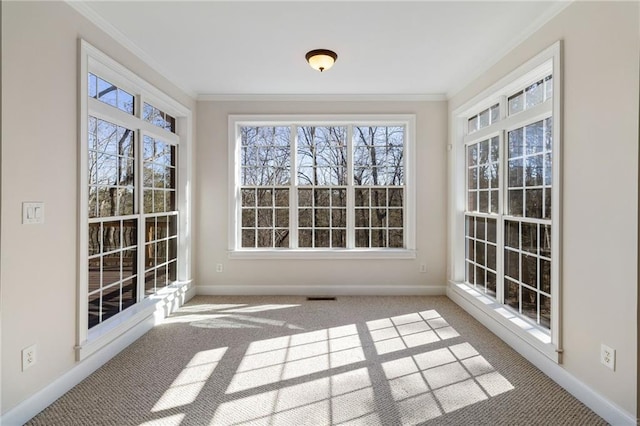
(39, 163)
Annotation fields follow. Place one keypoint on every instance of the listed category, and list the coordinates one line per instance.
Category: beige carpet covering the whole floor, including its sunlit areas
(289, 361)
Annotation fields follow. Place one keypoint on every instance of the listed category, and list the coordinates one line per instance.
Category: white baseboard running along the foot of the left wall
(30, 407)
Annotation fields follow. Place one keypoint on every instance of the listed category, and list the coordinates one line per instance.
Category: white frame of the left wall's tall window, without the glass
(89, 341)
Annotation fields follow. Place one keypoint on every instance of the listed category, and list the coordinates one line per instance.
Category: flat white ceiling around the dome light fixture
(241, 48)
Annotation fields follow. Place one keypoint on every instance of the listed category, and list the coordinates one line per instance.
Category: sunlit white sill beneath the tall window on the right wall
(502, 321)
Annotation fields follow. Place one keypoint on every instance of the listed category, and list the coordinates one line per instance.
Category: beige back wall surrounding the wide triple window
(384, 275)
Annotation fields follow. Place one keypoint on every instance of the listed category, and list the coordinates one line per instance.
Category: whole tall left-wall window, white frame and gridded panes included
(130, 205)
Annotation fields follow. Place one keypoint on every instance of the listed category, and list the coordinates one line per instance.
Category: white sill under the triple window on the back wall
(322, 254)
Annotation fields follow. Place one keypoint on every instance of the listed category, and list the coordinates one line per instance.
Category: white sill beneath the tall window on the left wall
(159, 304)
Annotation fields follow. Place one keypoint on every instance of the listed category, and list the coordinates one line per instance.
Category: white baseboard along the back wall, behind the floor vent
(320, 290)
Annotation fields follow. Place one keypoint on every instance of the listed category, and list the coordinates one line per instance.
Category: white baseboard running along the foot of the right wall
(606, 409)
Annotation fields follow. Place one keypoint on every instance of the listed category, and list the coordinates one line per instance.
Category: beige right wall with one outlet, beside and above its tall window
(600, 187)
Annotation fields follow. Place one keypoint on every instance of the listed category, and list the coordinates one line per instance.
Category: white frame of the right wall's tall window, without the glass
(496, 314)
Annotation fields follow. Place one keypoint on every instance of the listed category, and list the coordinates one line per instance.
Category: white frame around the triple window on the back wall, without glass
(406, 120)
